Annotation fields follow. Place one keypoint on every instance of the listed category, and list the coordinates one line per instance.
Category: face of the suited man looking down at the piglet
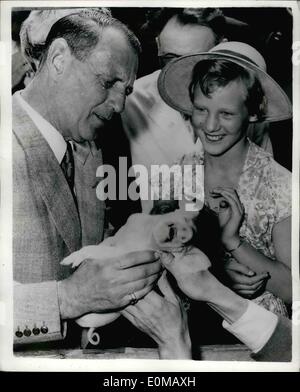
(94, 89)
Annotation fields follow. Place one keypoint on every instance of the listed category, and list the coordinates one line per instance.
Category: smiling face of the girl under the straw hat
(221, 121)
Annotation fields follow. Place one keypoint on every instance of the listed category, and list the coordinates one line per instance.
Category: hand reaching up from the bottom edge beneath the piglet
(164, 319)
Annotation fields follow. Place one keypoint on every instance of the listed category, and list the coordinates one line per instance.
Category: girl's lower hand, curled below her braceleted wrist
(245, 282)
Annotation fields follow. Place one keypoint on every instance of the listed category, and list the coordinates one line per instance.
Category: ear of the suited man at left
(59, 55)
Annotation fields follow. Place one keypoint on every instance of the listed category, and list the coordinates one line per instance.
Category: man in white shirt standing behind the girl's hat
(159, 134)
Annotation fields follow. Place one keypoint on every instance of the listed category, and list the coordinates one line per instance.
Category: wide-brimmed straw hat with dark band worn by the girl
(176, 77)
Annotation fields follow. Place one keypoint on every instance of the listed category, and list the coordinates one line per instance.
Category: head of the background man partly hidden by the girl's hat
(180, 31)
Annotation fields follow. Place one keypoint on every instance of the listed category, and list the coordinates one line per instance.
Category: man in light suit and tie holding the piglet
(87, 69)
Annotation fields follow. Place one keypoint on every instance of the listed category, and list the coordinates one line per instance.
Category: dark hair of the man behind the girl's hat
(209, 17)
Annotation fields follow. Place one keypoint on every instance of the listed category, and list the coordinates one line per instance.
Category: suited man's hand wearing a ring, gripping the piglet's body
(106, 285)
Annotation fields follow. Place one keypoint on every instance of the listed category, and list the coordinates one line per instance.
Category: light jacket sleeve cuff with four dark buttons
(36, 313)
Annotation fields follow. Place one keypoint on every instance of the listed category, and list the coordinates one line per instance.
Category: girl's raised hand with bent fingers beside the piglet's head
(230, 216)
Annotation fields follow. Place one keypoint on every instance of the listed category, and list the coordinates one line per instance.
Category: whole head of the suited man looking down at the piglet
(86, 69)
